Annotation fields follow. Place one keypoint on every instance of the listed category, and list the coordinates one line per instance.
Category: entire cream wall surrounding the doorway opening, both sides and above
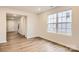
(31, 23)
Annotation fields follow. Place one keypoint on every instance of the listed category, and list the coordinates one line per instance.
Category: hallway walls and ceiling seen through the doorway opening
(16, 24)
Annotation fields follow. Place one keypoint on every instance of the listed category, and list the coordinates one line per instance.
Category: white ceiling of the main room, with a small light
(32, 9)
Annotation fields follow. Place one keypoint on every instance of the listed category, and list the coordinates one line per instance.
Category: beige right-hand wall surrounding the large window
(70, 41)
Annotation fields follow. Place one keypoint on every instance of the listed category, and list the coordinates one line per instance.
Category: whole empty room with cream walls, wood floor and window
(39, 29)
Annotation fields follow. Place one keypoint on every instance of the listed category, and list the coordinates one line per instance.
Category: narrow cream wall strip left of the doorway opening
(2, 26)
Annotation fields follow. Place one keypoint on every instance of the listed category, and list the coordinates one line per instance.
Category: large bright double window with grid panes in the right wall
(60, 22)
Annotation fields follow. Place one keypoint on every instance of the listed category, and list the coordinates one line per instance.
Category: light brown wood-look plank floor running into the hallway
(18, 43)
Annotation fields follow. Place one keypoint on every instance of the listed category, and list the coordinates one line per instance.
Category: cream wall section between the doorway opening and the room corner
(33, 26)
